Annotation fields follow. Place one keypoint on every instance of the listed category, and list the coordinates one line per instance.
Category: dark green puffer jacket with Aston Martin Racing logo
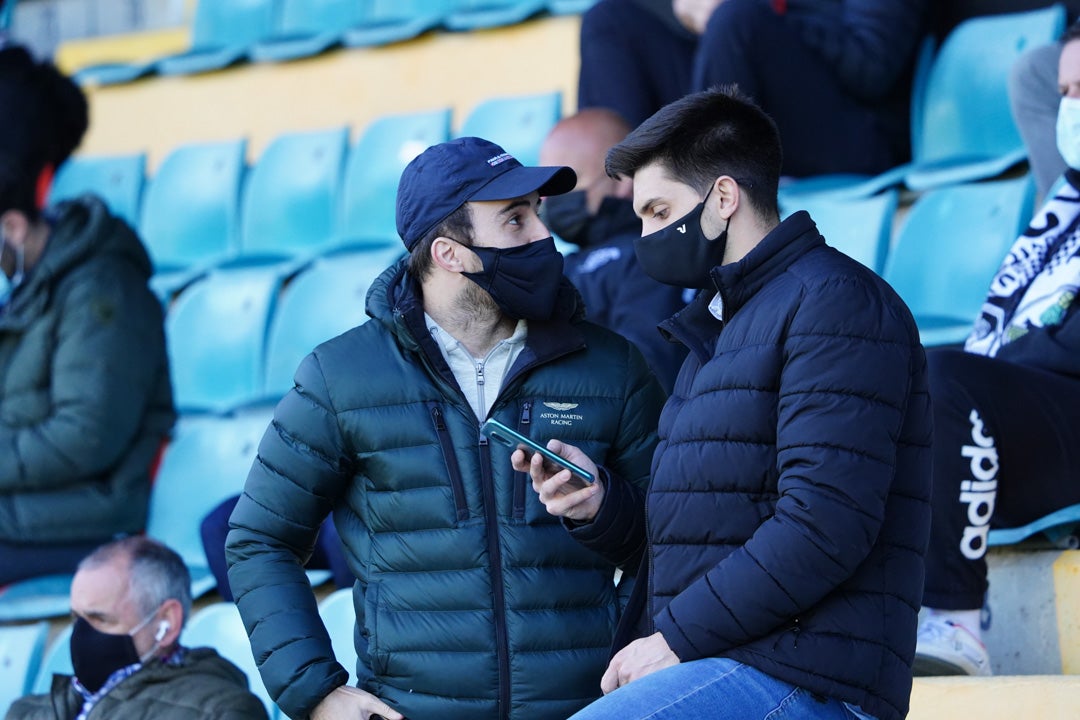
(471, 601)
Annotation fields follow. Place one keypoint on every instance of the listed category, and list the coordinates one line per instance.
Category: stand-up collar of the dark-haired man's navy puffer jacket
(696, 328)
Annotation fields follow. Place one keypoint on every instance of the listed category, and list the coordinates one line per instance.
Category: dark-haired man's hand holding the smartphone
(559, 492)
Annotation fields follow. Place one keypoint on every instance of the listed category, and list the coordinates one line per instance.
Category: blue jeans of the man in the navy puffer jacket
(719, 689)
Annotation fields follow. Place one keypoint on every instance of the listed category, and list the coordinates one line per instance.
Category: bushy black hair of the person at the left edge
(44, 116)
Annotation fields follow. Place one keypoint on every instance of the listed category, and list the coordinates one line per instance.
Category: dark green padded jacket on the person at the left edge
(85, 393)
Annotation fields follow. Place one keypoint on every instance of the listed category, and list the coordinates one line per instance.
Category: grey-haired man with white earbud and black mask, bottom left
(130, 601)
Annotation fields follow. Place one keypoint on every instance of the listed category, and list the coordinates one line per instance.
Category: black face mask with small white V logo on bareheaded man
(680, 254)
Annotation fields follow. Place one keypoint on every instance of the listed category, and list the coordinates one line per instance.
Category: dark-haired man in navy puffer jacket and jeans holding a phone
(789, 506)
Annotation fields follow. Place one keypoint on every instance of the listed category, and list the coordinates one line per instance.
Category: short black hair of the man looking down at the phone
(703, 137)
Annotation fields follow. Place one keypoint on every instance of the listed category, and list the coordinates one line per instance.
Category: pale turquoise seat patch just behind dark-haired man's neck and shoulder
(859, 227)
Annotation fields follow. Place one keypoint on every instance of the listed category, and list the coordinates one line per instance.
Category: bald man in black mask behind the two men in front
(599, 218)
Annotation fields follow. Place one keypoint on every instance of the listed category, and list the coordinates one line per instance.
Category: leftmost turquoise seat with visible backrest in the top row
(223, 33)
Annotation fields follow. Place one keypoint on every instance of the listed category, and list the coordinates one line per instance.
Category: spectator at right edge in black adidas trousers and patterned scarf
(1007, 446)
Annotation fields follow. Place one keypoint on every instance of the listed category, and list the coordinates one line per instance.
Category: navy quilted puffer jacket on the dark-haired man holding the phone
(789, 511)
